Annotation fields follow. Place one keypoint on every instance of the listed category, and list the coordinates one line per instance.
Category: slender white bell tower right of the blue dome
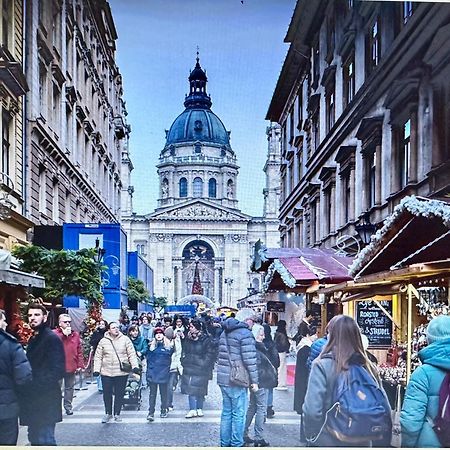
(272, 191)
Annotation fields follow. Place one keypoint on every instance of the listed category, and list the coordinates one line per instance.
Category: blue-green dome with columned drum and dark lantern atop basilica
(197, 161)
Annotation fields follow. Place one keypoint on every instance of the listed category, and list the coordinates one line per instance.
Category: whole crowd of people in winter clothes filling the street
(334, 375)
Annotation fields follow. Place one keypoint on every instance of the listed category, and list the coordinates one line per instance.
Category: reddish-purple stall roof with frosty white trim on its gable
(311, 266)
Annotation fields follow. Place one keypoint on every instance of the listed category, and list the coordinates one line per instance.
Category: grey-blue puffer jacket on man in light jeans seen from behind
(241, 345)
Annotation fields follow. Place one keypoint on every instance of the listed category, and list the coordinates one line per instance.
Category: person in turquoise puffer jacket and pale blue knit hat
(421, 402)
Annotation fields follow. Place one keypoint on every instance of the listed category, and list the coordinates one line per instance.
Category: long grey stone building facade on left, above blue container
(76, 132)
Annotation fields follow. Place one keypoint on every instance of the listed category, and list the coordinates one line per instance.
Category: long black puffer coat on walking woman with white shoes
(197, 359)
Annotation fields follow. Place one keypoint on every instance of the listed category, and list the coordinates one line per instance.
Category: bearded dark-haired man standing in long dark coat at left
(41, 400)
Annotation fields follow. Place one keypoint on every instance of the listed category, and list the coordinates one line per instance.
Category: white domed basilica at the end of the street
(197, 222)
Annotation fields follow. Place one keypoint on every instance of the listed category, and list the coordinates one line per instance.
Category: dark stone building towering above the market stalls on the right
(363, 104)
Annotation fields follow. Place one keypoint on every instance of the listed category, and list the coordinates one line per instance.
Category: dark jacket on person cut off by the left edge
(15, 371)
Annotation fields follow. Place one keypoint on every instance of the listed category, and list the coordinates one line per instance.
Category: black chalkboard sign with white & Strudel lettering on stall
(374, 323)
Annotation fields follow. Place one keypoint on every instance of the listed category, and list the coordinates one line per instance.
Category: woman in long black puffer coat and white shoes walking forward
(198, 358)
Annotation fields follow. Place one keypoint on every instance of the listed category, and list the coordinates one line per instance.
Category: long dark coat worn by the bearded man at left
(40, 400)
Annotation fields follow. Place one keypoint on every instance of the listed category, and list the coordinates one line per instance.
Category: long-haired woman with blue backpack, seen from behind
(342, 381)
